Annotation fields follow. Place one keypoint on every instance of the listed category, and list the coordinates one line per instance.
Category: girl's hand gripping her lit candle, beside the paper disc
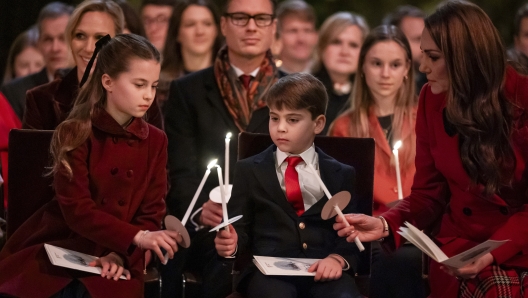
(154, 240)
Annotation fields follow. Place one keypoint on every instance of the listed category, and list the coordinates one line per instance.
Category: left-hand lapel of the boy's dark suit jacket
(267, 176)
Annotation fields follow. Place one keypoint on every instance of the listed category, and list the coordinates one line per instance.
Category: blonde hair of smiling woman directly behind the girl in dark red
(107, 6)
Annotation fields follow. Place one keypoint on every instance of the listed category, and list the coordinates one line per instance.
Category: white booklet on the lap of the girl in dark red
(72, 259)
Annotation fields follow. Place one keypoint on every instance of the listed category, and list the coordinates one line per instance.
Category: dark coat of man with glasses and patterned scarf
(196, 122)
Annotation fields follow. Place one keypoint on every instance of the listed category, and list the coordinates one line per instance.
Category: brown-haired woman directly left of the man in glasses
(195, 40)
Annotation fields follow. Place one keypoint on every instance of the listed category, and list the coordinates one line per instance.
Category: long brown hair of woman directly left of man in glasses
(172, 66)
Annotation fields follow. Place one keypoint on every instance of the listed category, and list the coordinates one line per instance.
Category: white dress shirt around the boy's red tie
(310, 188)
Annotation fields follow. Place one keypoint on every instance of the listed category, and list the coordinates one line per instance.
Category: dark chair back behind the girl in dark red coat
(29, 188)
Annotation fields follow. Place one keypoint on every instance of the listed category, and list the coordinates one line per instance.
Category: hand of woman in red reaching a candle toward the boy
(367, 228)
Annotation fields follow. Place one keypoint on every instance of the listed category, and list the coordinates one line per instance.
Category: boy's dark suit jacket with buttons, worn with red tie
(270, 226)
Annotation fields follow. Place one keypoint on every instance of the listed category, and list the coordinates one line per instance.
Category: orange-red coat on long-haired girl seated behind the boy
(385, 185)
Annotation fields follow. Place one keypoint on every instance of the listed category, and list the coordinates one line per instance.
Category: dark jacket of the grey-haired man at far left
(15, 91)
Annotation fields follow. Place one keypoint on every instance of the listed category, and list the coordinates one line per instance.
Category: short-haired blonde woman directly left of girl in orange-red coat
(340, 39)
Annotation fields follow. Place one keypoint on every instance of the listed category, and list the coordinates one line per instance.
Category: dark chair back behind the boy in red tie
(356, 152)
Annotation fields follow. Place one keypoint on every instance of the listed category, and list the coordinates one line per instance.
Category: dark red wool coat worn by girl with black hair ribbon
(118, 188)
